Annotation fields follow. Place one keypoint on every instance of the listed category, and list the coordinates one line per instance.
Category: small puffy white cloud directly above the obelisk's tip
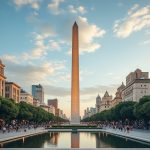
(75, 10)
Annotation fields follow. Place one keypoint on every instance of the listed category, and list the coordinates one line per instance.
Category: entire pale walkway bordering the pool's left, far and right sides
(141, 135)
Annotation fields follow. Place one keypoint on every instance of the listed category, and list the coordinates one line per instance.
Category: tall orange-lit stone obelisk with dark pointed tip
(75, 95)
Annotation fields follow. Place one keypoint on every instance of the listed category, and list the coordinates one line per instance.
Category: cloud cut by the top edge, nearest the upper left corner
(35, 4)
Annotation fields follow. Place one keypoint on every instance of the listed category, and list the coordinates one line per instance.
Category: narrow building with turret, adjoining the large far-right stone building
(118, 97)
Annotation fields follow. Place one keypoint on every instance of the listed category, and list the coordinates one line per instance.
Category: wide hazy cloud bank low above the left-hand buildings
(30, 73)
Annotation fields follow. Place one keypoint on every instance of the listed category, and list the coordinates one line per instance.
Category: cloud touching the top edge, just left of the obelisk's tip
(54, 6)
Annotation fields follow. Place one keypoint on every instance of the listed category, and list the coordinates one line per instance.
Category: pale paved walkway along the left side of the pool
(20, 134)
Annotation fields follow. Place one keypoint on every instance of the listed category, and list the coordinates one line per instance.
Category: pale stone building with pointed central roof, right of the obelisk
(105, 102)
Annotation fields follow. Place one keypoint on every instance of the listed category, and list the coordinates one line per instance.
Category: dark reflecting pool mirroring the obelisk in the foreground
(75, 140)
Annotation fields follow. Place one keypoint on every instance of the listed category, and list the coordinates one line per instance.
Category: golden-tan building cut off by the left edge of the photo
(2, 79)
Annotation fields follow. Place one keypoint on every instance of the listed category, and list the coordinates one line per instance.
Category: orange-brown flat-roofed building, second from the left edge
(12, 91)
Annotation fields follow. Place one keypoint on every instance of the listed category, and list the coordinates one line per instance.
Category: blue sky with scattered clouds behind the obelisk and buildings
(35, 45)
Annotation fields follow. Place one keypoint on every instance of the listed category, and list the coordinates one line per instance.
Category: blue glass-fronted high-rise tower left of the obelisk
(38, 92)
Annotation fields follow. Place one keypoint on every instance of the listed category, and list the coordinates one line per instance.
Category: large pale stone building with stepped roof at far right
(137, 86)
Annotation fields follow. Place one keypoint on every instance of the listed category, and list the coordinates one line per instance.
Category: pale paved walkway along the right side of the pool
(141, 135)
